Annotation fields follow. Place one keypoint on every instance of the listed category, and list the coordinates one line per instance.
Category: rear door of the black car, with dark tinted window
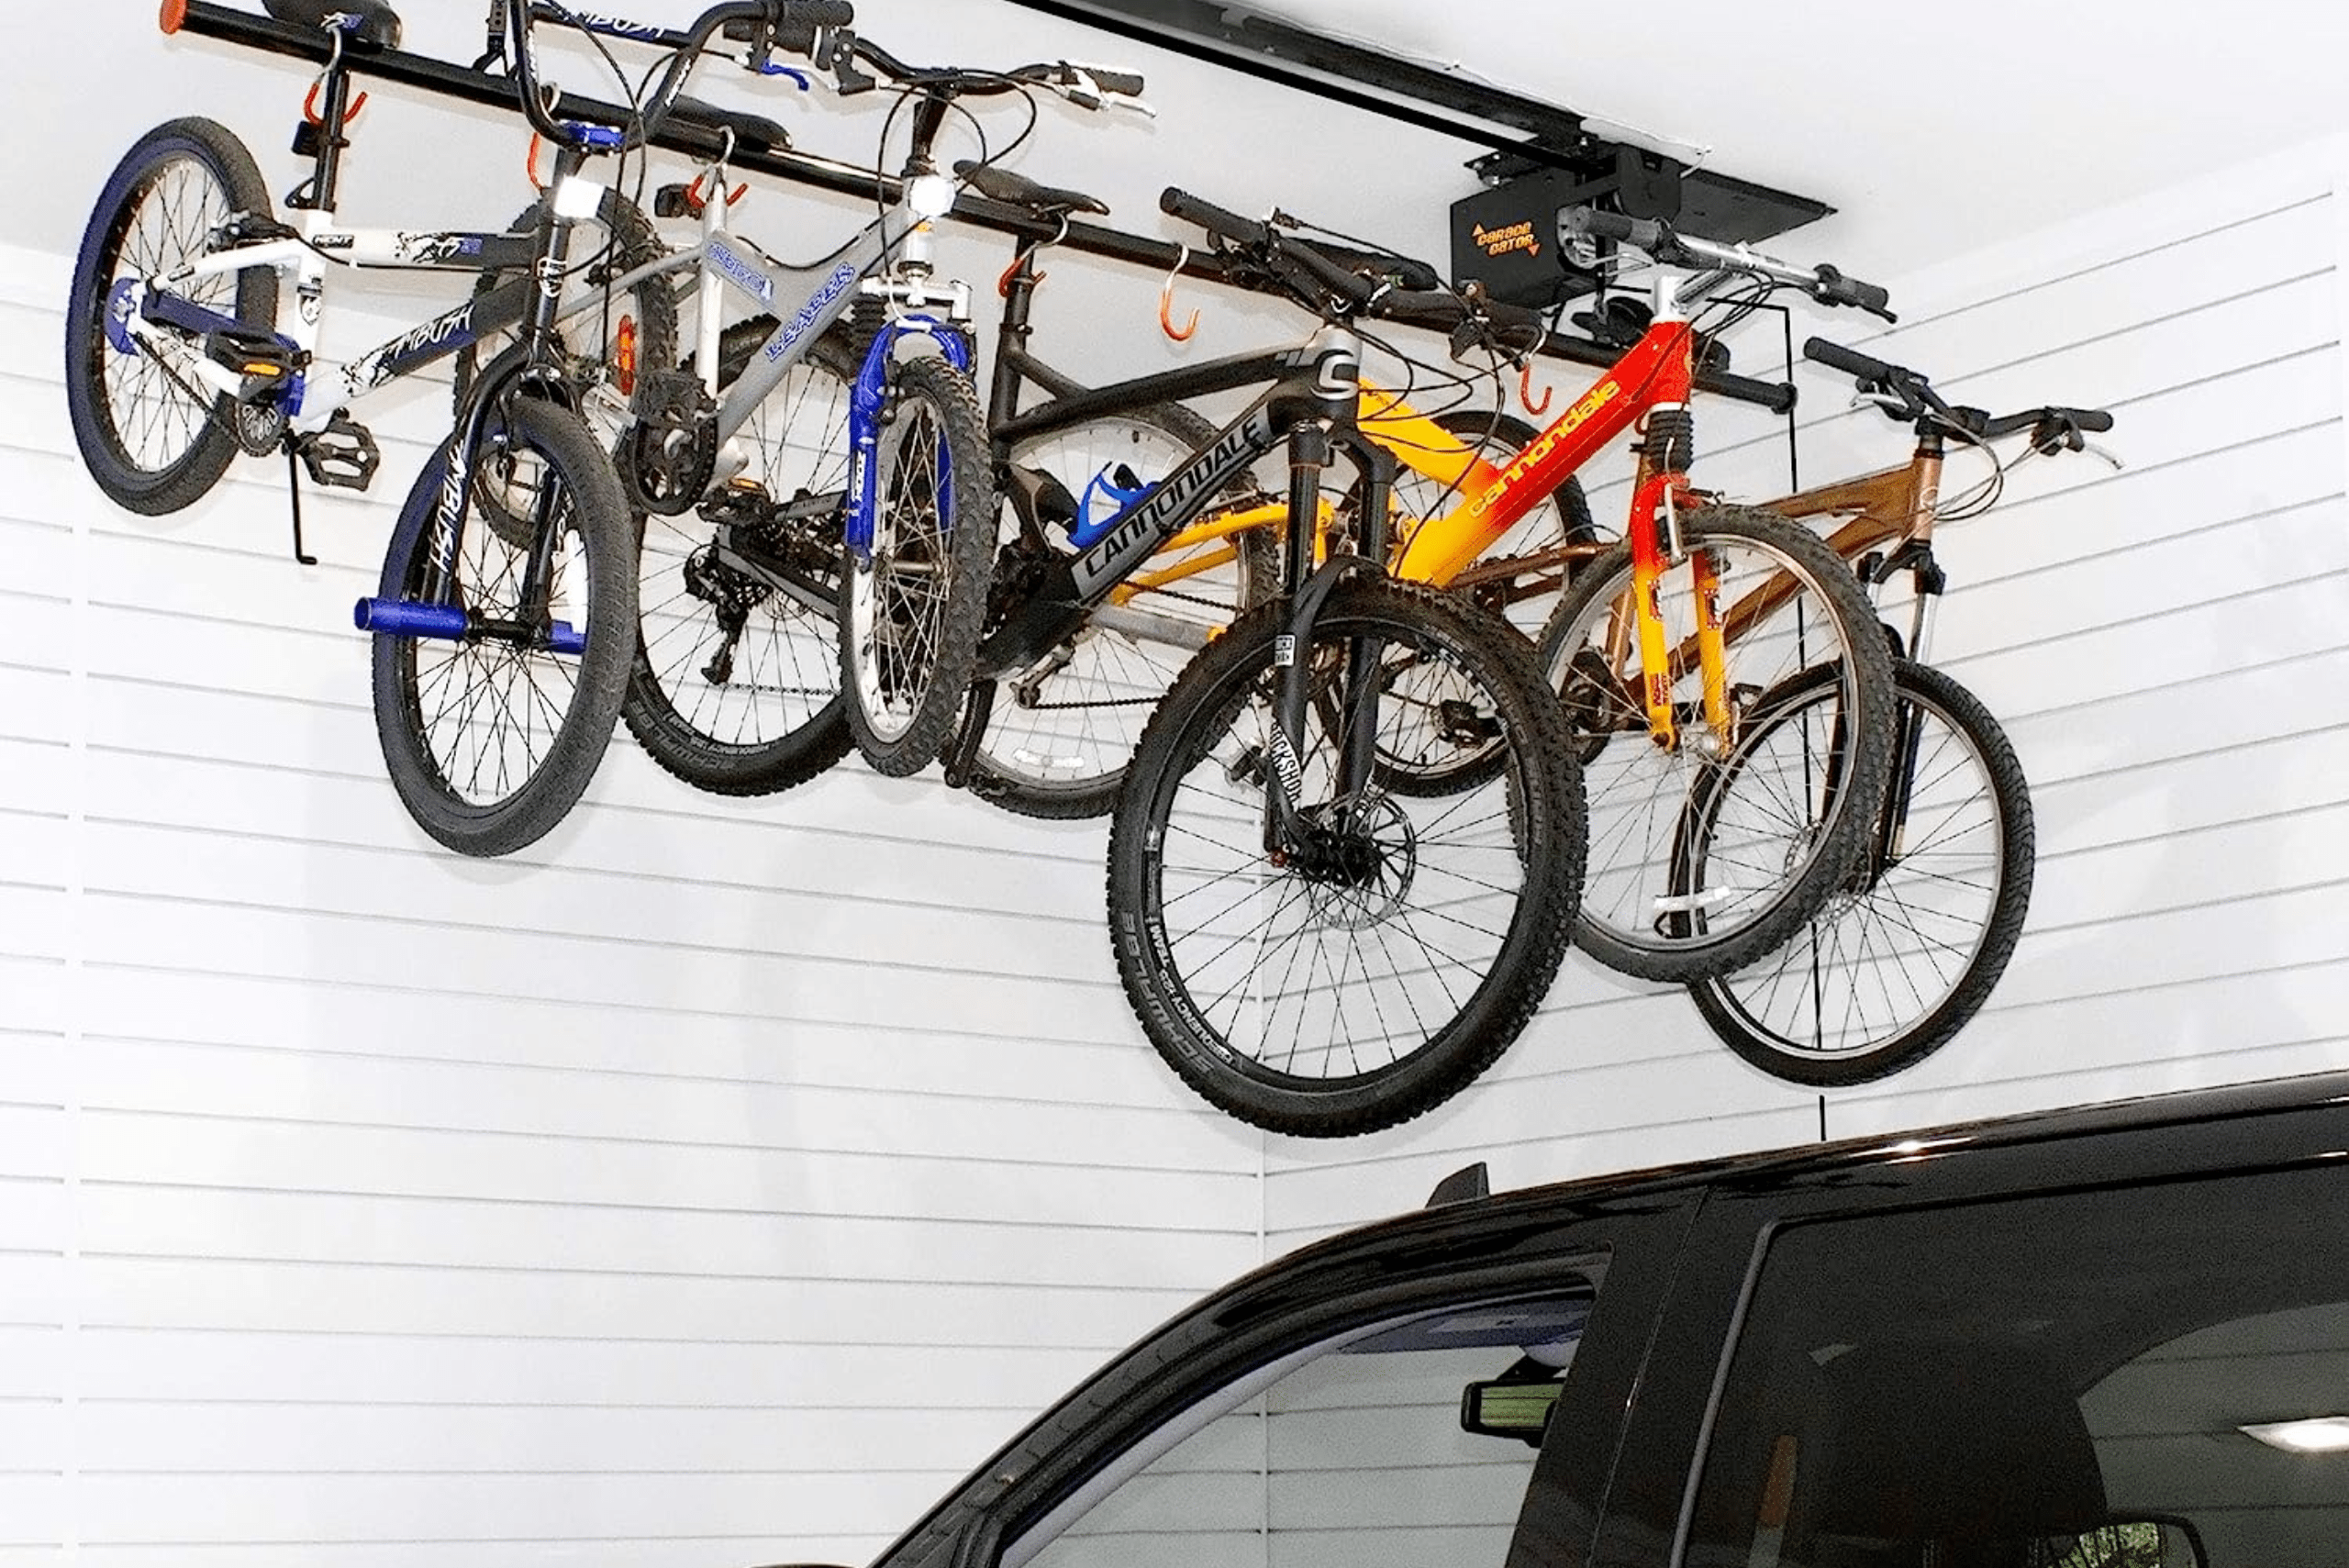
(2108, 1351)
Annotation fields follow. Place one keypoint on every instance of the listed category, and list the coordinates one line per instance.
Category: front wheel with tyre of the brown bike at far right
(1909, 947)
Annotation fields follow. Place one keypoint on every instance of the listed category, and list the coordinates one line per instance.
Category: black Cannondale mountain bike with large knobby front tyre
(1307, 947)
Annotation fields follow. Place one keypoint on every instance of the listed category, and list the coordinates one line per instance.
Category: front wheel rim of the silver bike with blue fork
(898, 600)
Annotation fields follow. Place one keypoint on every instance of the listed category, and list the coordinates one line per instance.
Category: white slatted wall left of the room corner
(711, 1184)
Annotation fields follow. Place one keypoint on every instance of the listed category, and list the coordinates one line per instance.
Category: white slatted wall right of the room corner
(2165, 647)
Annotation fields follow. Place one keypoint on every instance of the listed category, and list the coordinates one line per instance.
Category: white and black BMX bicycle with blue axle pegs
(175, 363)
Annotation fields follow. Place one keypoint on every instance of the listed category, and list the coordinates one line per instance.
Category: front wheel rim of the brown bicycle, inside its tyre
(1880, 964)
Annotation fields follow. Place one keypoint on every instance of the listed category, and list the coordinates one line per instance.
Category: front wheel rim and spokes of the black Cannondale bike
(1310, 978)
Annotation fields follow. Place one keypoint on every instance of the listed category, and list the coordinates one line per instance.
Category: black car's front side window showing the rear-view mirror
(1350, 1454)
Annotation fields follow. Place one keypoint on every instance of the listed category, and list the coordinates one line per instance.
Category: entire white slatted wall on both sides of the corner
(720, 1180)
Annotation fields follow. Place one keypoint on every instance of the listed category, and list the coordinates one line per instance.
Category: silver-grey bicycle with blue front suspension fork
(793, 431)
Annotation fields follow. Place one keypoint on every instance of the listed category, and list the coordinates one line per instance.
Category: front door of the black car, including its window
(1314, 1417)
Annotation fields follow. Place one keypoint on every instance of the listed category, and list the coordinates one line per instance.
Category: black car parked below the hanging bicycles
(2096, 1339)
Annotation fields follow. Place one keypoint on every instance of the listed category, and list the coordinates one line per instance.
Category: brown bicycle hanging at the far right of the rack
(1911, 947)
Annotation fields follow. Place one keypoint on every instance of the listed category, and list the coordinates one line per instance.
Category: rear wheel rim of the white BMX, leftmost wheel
(166, 224)
